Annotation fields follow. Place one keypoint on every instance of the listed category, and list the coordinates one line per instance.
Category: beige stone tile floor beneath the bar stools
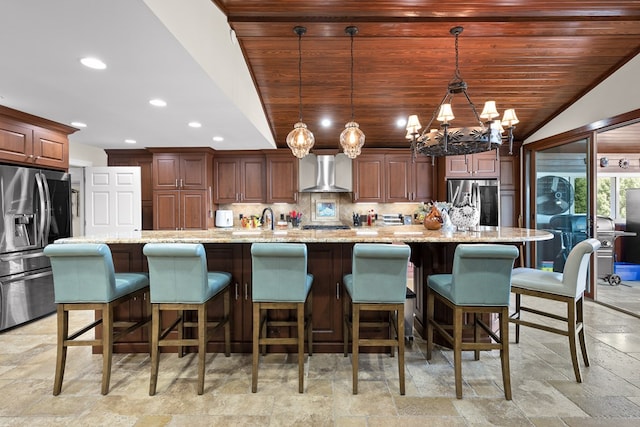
(544, 390)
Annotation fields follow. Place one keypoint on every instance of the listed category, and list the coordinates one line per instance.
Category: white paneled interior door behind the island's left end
(113, 202)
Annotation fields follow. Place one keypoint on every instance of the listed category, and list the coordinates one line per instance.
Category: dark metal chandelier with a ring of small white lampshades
(447, 141)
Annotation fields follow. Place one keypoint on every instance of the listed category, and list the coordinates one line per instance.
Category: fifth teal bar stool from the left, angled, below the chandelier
(479, 284)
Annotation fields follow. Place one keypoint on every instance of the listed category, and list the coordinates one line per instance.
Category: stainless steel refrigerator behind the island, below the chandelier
(483, 193)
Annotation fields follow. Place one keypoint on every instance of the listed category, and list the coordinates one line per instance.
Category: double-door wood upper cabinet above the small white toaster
(239, 178)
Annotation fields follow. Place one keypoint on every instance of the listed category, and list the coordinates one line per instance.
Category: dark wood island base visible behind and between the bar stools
(328, 262)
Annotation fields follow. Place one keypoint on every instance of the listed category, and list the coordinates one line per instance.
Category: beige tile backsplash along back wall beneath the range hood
(307, 202)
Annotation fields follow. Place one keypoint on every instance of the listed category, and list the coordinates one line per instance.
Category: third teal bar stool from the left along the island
(280, 282)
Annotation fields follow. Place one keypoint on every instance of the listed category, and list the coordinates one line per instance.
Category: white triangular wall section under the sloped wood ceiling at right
(618, 94)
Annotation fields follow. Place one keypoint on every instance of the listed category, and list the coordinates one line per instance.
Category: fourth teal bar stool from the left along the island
(378, 282)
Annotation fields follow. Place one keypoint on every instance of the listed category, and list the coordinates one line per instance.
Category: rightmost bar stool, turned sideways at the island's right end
(567, 287)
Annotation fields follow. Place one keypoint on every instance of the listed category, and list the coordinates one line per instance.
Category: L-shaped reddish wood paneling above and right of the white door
(143, 159)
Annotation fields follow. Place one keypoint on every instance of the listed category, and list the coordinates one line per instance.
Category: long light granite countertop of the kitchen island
(388, 234)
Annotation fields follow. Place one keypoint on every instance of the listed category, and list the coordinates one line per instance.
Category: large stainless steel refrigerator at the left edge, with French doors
(36, 210)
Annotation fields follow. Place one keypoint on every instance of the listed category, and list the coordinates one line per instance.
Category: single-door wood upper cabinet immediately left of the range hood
(282, 177)
